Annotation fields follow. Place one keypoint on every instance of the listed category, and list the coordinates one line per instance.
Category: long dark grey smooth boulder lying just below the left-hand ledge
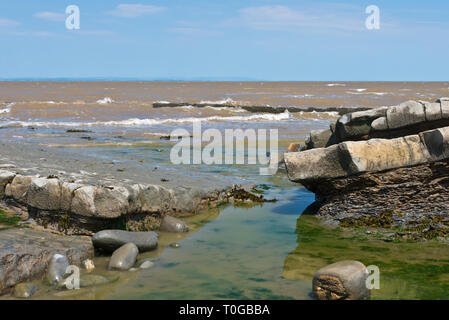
(110, 240)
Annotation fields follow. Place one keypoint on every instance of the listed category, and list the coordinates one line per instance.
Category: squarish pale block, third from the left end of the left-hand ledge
(44, 194)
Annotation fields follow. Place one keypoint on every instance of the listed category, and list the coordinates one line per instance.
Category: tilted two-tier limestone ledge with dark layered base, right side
(399, 183)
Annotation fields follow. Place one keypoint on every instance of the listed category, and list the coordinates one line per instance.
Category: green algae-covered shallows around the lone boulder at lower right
(408, 269)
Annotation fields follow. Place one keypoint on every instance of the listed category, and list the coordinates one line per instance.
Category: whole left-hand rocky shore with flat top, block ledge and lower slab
(60, 209)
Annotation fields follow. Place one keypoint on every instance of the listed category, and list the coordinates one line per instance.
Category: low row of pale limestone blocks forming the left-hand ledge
(74, 208)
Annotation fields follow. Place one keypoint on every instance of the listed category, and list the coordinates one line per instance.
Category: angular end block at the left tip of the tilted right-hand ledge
(314, 164)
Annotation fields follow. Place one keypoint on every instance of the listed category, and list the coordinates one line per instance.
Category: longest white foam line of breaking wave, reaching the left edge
(149, 122)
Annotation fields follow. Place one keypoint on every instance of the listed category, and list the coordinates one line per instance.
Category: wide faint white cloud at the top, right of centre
(284, 18)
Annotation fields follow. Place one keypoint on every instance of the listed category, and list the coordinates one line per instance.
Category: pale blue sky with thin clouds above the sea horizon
(228, 39)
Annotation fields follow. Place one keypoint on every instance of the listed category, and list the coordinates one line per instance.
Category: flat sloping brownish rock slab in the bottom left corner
(26, 253)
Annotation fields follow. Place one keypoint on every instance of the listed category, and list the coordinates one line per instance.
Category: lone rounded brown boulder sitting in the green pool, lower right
(344, 280)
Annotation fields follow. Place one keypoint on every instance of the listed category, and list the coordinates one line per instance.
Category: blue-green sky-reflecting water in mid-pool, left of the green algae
(239, 255)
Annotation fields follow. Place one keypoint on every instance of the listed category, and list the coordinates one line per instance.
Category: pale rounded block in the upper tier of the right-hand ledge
(406, 114)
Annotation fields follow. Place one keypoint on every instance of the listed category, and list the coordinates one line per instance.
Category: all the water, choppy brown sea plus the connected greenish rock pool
(261, 252)
